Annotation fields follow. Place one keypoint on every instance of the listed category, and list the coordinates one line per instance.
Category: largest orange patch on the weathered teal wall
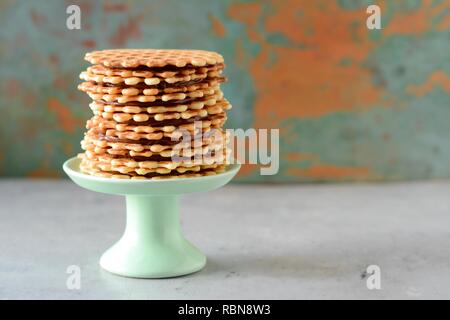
(309, 82)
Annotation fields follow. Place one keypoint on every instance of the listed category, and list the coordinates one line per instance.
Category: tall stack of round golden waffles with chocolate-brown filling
(157, 114)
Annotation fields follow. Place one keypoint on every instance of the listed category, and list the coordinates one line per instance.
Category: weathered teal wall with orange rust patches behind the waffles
(352, 104)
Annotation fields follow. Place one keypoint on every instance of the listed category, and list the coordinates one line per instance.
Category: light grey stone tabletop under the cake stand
(262, 242)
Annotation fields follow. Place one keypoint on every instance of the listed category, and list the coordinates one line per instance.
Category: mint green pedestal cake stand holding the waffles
(152, 245)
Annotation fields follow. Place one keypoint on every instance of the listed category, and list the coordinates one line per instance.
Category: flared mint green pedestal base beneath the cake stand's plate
(152, 245)
